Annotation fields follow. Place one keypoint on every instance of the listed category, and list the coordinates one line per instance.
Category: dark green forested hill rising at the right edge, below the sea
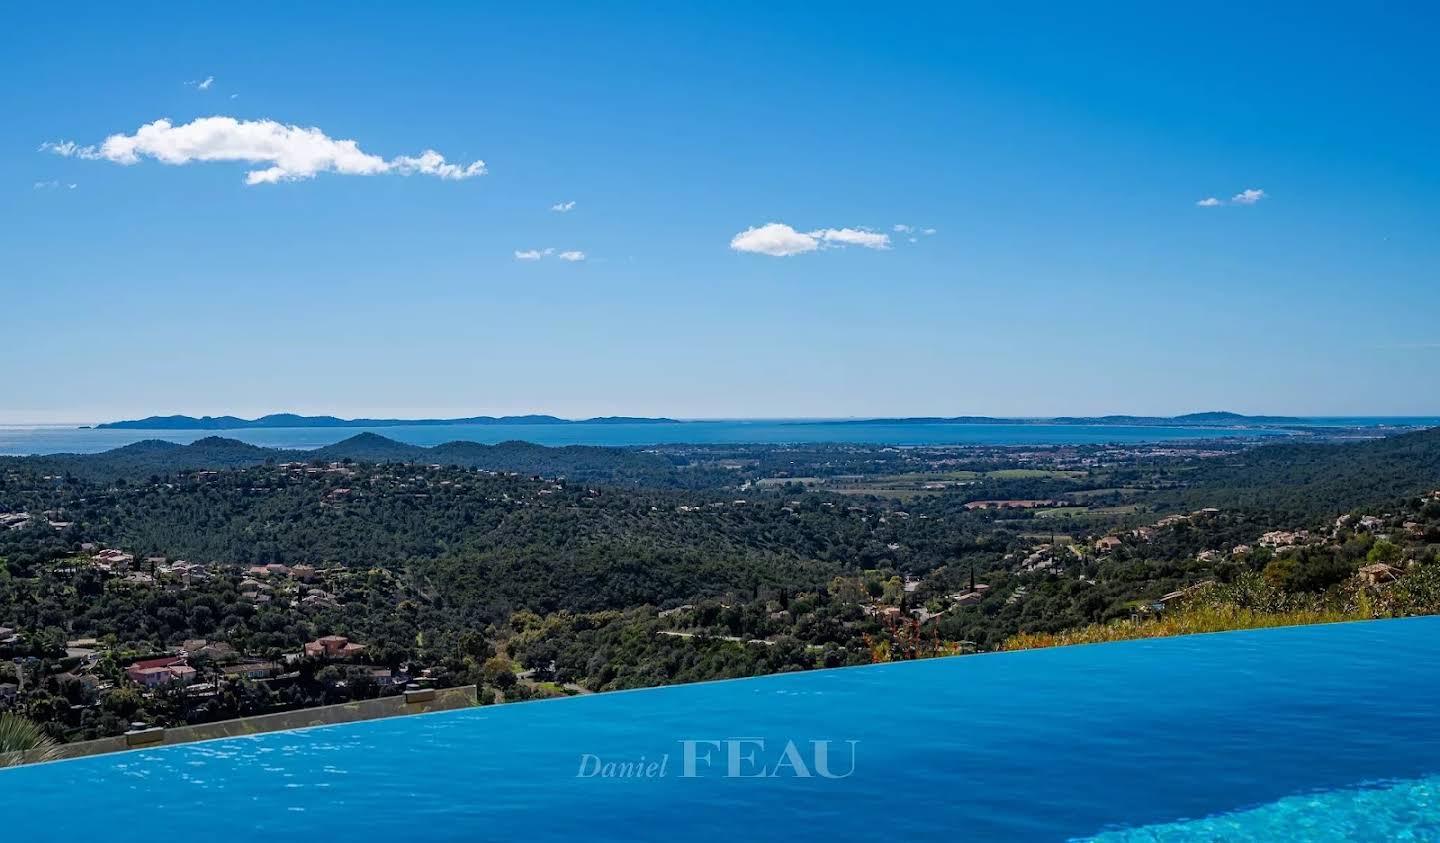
(1300, 479)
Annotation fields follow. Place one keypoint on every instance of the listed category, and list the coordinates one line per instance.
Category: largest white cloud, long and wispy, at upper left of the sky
(294, 153)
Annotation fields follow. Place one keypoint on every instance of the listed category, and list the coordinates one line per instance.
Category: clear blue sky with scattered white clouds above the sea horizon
(1058, 153)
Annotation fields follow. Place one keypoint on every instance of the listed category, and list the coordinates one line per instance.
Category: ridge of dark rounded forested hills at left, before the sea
(142, 460)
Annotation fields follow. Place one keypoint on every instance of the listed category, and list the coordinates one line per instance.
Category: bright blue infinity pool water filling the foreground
(1313, 734)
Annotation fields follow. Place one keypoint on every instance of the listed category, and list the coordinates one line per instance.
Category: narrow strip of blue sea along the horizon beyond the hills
(21, 440)
